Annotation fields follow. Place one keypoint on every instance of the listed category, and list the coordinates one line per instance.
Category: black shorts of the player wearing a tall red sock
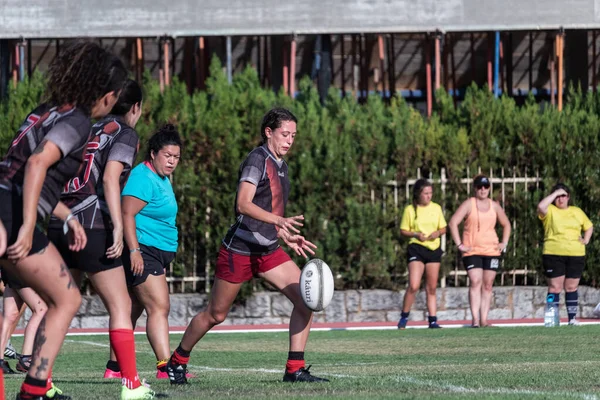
(92, 258)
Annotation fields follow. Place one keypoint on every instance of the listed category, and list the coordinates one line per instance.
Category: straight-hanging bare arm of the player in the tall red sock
(112, 195)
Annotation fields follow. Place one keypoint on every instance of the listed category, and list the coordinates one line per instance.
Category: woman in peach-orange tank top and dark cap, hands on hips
(480, 247)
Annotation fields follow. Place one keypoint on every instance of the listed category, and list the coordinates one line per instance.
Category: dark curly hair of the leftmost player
(82, 73)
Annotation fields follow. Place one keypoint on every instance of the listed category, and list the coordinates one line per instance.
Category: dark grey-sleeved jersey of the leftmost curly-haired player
(68, 128)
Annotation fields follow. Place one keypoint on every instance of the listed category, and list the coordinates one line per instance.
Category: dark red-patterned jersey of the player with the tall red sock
(111, 140)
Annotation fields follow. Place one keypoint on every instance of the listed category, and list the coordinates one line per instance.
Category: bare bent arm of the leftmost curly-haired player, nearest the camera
(45, 155)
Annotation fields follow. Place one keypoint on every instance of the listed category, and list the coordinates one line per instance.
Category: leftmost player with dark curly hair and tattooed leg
(84, 81)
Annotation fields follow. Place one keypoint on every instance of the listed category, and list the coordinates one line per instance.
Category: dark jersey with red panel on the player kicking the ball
(247, 235)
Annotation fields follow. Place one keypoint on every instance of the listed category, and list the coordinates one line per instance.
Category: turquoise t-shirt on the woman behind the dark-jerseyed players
(155, 223)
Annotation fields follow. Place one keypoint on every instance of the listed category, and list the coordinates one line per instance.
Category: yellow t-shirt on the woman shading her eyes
(562, 230)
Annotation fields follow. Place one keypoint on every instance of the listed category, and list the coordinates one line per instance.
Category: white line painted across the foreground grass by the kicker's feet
(399, 379)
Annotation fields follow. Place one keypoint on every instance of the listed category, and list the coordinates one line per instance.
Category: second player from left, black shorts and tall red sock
(94, 197)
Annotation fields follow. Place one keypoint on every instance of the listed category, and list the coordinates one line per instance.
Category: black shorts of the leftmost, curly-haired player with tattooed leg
(11, 214)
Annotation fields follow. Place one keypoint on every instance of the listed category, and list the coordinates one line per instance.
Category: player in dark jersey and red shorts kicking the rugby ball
(251, 248)
